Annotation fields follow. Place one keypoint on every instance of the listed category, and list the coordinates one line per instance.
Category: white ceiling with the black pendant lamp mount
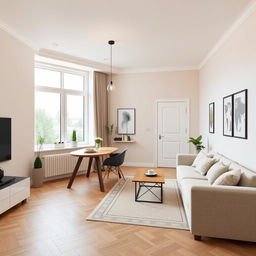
(149, 34)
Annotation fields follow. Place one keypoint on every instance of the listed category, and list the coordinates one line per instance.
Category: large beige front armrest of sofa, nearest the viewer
(224, 212)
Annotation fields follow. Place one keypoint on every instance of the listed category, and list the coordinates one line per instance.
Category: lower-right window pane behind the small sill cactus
(75, 120)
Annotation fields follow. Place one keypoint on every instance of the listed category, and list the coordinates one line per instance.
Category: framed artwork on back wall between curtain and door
(126, 121)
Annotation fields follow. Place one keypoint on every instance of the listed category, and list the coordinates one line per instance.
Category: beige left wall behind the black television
(17, 101)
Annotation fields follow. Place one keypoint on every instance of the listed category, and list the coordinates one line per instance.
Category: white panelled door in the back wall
(172, 128)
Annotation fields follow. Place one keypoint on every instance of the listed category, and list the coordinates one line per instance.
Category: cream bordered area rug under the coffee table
(119, 206)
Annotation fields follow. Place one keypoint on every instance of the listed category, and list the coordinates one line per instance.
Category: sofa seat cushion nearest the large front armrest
(186, 186)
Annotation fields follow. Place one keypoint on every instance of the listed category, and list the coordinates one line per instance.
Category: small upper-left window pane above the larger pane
(45, 77)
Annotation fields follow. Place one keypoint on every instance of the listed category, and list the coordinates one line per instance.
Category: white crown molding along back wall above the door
(155, 69)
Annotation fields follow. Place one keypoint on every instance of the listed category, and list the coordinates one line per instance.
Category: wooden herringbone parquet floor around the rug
(53, 222)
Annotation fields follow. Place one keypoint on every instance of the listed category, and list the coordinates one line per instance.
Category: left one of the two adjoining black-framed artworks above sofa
(228, 116)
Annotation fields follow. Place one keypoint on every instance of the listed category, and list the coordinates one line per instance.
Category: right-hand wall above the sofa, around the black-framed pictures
(231, 69)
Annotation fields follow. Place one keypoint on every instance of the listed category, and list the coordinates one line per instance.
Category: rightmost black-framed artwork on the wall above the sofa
(240, 114)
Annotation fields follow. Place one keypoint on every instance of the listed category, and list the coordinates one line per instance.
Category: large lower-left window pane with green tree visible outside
(47, 116)
